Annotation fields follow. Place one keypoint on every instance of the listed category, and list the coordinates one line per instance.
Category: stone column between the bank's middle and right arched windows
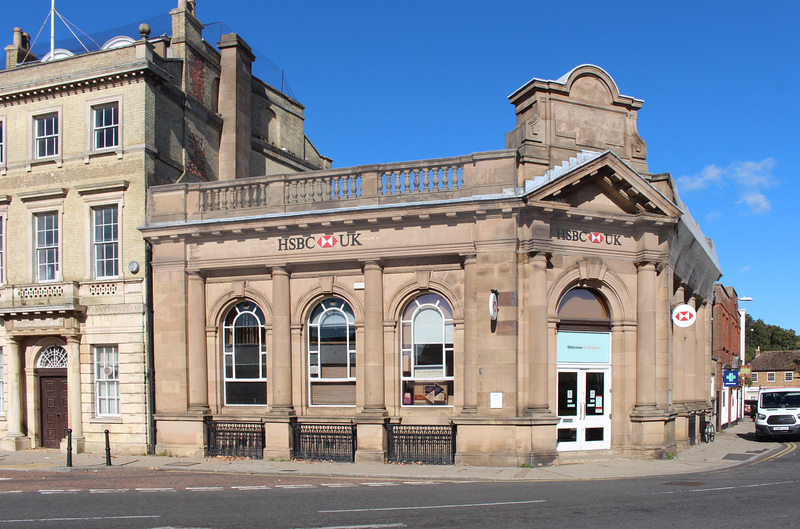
(374, 376)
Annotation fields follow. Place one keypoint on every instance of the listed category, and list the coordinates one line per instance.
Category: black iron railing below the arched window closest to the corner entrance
(432, 445)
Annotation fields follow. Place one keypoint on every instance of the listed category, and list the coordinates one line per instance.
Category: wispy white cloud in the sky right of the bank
(749, 179)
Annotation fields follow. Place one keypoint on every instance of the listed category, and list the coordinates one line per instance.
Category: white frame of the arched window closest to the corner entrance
(409, 372)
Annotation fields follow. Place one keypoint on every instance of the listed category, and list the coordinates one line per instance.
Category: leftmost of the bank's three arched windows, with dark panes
(245, 352)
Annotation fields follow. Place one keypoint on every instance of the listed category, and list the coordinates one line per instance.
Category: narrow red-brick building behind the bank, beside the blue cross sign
(725, 354)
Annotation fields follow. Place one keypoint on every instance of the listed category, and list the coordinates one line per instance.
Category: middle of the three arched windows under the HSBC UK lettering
(332, 354)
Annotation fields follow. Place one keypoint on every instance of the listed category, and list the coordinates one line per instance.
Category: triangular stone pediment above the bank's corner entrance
(600, 183)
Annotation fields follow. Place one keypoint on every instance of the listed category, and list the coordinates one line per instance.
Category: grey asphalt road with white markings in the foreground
(748, 495)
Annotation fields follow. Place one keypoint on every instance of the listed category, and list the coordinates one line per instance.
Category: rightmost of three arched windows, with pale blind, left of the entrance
(427, 352)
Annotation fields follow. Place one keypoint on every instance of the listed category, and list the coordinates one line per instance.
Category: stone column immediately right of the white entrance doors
(646, 337)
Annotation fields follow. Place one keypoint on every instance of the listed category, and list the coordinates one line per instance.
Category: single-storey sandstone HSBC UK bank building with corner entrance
(505, 307)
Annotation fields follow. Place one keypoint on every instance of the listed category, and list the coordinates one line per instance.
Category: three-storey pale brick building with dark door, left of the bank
(82, 138)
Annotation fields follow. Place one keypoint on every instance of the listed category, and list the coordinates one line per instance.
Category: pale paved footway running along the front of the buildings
(733, 446)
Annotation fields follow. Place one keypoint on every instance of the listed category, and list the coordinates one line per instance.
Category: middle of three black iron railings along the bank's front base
(324, 442)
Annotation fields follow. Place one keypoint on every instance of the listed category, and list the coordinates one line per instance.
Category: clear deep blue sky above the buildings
(390, 81)
